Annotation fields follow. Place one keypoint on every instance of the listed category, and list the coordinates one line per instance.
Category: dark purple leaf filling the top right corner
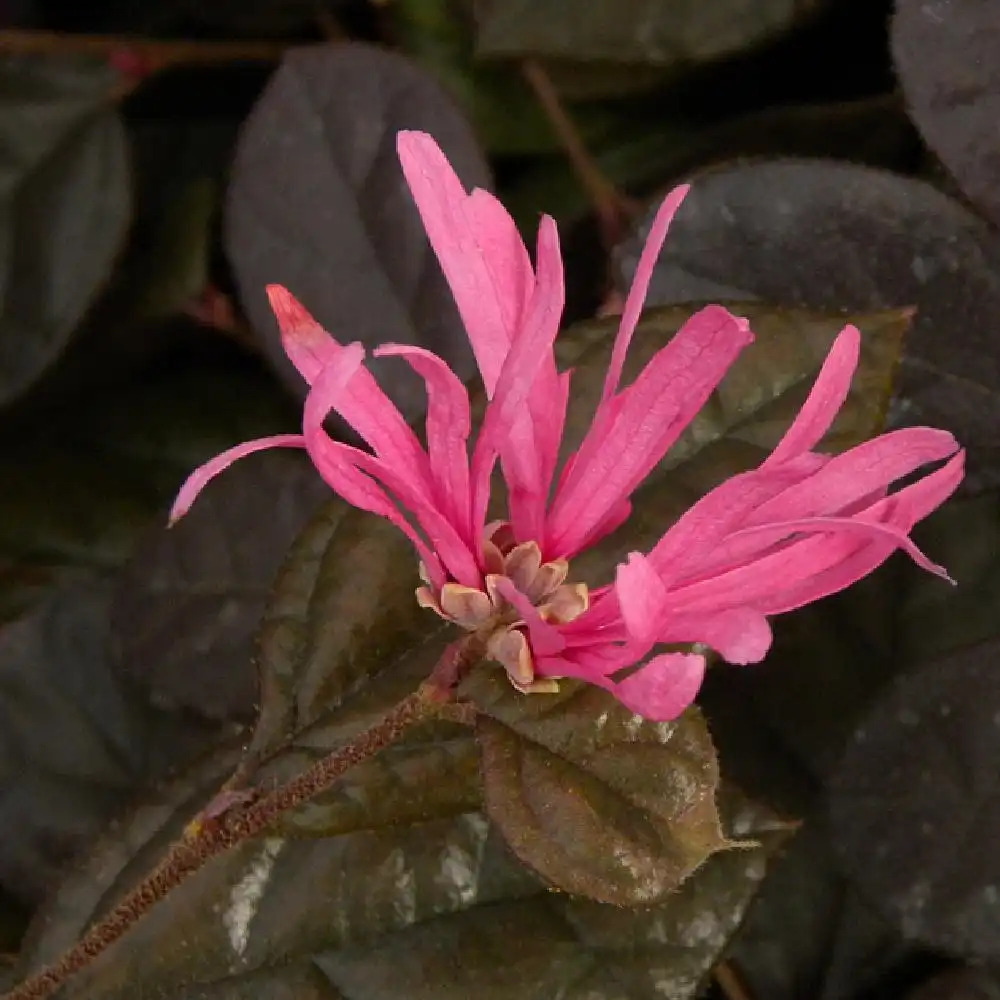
(944, 53)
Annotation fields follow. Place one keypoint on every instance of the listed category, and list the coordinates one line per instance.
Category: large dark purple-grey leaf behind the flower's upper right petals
(837, 236)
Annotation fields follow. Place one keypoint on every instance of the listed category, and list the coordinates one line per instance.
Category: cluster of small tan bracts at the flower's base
(517, 584)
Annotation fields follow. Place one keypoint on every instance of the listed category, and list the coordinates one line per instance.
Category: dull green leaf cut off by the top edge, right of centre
(646, 32)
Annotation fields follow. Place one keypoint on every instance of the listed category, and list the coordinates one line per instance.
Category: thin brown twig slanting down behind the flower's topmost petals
(614, 210)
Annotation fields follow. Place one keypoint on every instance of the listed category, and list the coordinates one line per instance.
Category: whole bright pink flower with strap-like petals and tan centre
(800, 526)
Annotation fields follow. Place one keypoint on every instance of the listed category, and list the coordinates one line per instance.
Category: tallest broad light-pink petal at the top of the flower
(475, 245)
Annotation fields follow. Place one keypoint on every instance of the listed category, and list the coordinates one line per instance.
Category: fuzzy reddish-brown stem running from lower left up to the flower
(229, 821)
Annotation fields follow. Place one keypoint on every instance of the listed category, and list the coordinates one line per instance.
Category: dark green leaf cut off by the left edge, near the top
(65, 210)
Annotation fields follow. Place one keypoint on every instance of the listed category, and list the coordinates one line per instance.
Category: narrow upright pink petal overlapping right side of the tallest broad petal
(529, 352)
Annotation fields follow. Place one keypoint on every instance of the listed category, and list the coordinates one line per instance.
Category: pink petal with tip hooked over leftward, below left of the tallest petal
(448, 425)
